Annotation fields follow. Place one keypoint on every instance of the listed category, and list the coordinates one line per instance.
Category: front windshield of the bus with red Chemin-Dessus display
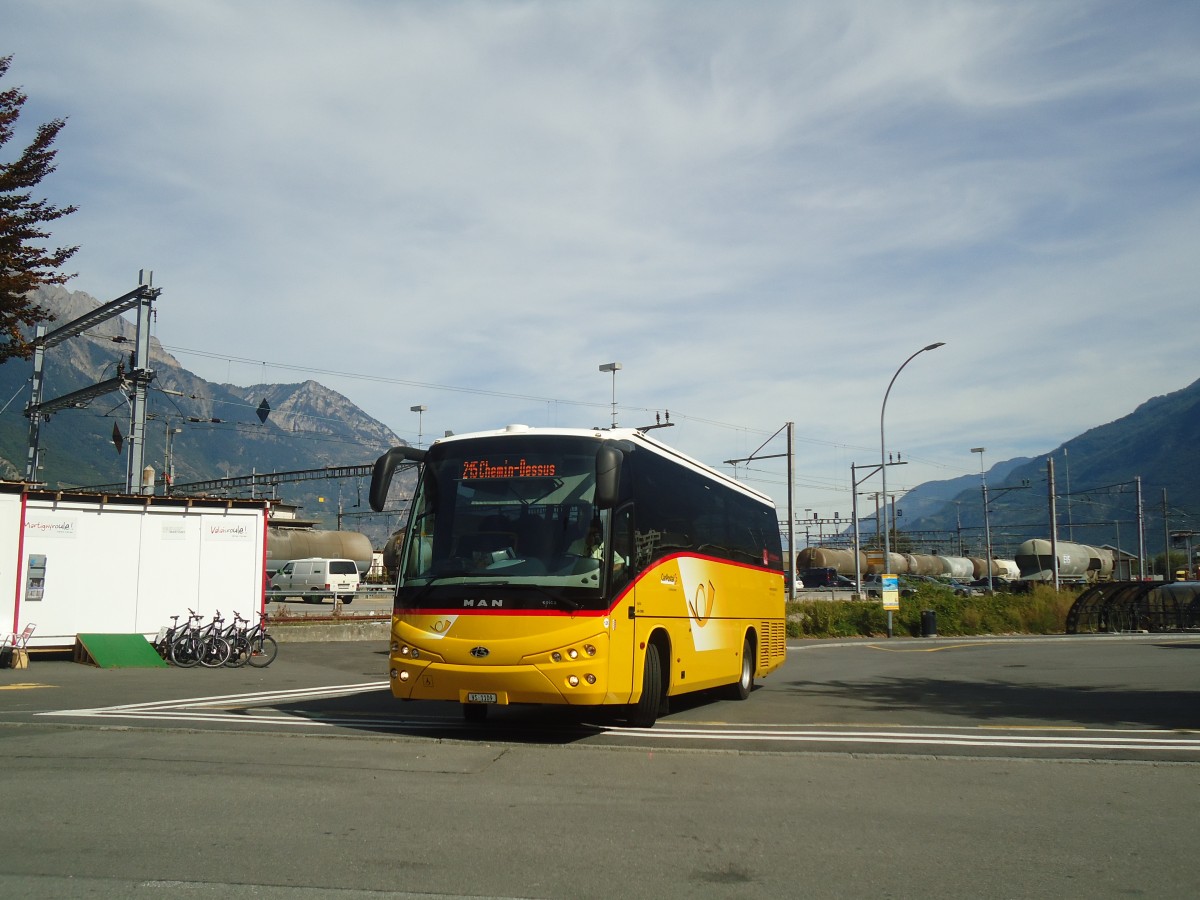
(514, 515)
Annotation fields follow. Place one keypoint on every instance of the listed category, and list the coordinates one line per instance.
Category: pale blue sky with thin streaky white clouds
(761, 211)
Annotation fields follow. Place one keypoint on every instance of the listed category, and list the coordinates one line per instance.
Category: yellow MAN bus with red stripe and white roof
(583, 568)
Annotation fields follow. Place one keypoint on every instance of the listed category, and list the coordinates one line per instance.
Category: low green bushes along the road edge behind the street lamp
(1042, 611)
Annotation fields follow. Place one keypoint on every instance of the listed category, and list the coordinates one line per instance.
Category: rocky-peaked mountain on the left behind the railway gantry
(213, 430)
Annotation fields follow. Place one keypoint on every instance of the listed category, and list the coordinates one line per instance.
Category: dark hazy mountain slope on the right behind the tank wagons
(1096, 485)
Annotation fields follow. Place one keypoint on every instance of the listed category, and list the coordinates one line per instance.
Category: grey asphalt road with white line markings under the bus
(940, 769)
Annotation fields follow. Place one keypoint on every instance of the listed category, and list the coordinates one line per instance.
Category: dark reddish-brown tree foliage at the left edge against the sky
(25, 262)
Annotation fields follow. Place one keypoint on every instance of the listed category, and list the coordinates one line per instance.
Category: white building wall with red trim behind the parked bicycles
(127, 568)
